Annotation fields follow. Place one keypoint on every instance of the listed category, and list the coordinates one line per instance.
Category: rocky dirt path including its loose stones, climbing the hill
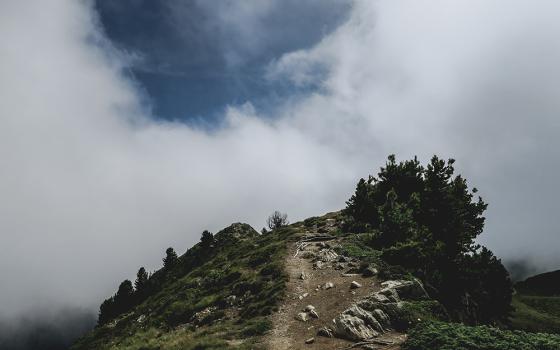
(319, 289)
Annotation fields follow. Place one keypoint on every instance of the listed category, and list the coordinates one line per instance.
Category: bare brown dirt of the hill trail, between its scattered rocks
(290, 333)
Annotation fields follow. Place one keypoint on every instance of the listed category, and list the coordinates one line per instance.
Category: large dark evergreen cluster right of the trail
(426, 220)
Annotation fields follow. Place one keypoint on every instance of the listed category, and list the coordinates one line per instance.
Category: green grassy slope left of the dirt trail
(194, 307)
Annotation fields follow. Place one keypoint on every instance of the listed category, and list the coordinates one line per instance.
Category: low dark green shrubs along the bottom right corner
(453, 336)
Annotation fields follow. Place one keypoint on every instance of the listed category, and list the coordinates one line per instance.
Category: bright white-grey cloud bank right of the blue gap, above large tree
(470, 80)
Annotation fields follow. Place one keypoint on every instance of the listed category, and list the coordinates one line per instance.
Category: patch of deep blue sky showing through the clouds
(196, 57)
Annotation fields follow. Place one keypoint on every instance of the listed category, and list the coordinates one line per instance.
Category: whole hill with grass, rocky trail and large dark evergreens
(396, 269)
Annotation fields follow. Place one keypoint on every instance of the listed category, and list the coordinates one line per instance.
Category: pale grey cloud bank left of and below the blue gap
(93, 187)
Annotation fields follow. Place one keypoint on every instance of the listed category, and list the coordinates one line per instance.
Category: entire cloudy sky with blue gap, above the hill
(128, 127)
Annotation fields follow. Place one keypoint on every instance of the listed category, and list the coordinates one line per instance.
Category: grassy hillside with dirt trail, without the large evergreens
(251, 289)
